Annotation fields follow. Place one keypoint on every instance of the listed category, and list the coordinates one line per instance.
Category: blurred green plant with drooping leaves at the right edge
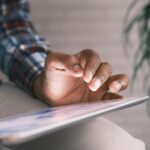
(140, 20)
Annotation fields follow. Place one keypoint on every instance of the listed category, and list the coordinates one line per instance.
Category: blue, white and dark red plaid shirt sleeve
(22, 50)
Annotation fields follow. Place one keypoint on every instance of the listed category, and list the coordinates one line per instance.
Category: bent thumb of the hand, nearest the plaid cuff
(65, 63)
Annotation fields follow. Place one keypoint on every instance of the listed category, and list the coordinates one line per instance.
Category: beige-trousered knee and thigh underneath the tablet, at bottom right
(96, 134)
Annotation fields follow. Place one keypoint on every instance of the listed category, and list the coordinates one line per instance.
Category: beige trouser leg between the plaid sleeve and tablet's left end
(14, 101)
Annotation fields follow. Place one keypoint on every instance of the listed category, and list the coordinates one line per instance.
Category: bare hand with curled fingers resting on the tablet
(77, 78)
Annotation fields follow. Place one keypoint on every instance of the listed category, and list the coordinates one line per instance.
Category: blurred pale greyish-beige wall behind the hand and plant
(73, 25)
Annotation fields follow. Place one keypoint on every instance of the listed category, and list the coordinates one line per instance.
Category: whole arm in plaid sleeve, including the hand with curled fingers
(65, 79)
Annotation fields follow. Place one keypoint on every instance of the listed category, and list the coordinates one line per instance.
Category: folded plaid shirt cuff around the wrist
(25, 72)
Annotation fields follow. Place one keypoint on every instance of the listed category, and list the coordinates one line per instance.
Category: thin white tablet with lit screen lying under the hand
(24, 127)
